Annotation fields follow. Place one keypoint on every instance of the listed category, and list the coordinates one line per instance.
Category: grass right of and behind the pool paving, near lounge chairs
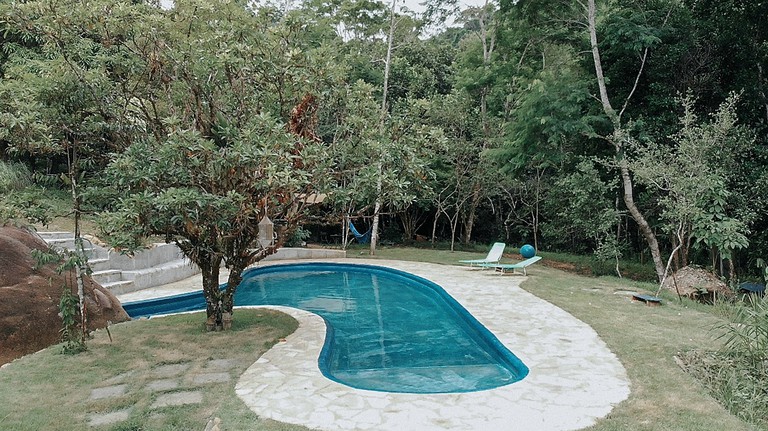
(644, 338)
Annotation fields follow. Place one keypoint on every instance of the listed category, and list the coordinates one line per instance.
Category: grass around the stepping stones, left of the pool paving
(52, 391)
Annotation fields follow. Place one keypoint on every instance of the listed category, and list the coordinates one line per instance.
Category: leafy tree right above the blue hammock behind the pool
(386, 164)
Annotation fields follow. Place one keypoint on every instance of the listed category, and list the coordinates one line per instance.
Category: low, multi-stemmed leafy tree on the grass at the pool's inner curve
(209, 198)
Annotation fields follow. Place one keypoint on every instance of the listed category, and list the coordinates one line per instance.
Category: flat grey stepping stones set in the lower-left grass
(177, 385)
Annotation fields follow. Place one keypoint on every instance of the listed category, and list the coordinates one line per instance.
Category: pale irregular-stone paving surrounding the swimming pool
(574, 378)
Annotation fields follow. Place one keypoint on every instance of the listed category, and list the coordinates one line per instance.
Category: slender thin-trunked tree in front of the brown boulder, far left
(58, 103)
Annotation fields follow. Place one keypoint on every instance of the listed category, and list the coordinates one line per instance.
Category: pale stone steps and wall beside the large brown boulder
(160, 264)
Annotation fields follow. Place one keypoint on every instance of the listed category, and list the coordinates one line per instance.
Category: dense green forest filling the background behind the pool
(631, 130)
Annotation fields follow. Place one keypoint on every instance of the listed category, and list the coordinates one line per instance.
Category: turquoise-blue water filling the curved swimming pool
(387, 330)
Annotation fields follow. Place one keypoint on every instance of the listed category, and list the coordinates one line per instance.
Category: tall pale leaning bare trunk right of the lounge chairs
(619, 139)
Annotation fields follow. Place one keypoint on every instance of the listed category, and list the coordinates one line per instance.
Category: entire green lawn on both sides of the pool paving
(50, 391)
